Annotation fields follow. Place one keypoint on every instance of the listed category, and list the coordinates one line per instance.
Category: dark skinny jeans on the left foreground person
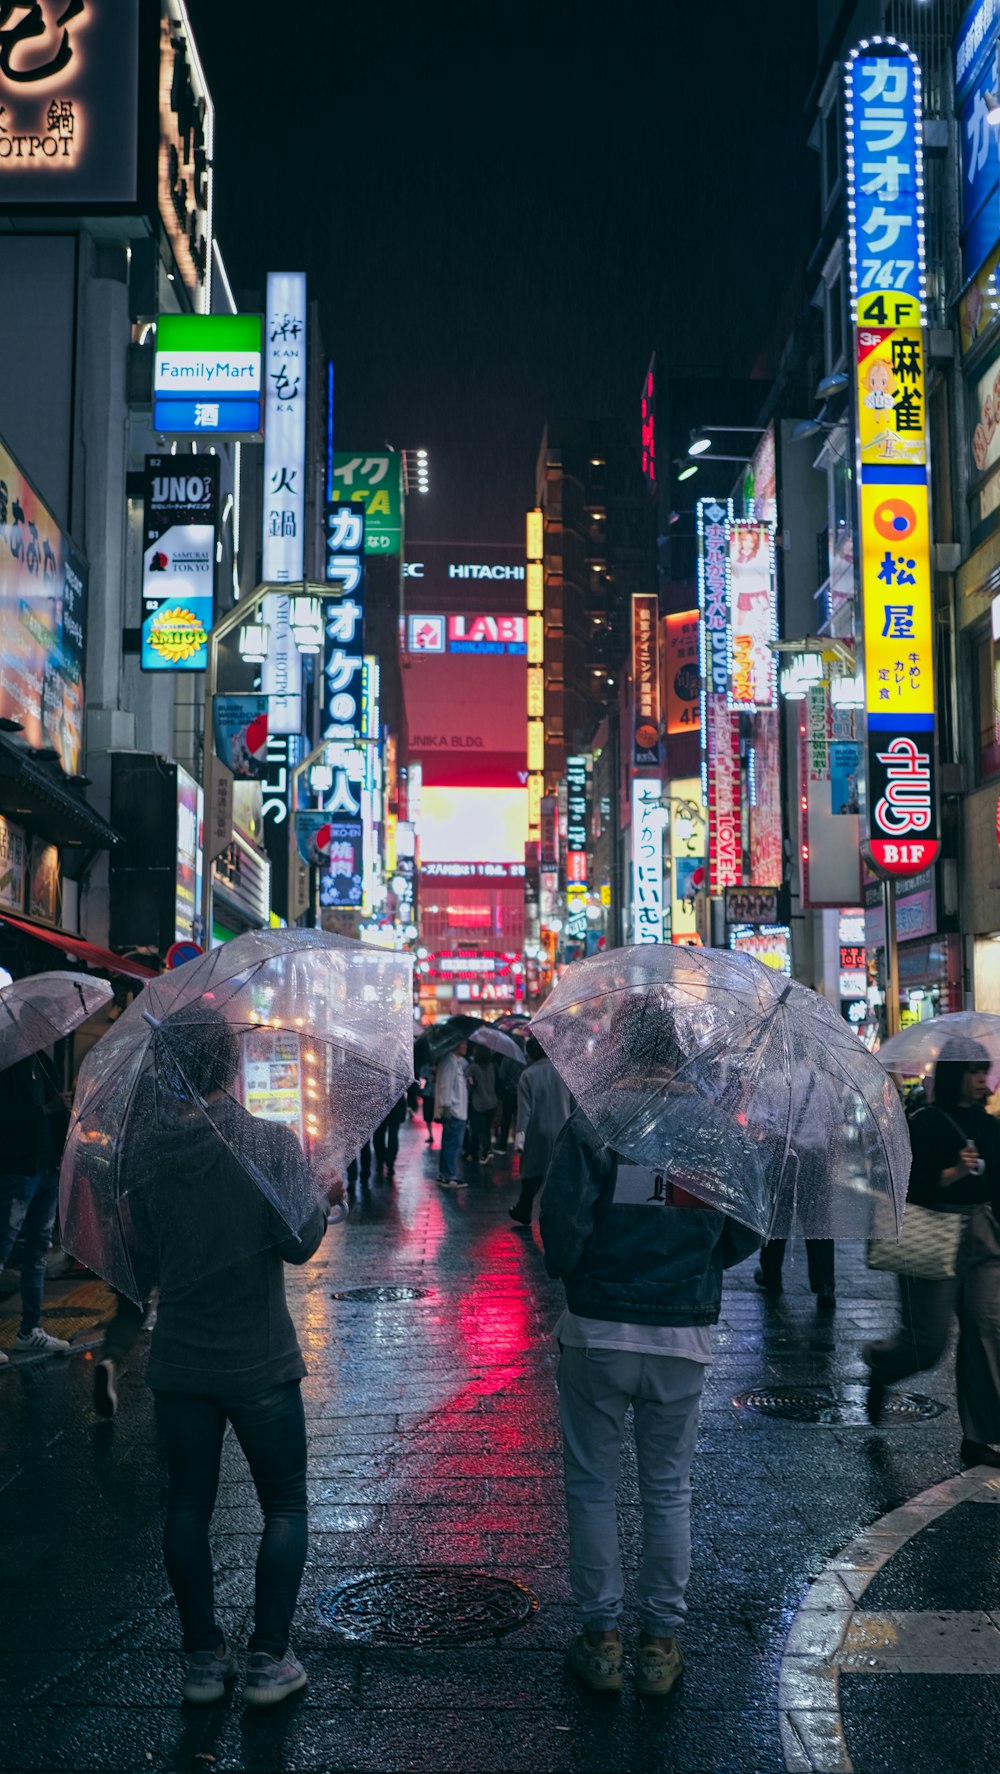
(272, 1433)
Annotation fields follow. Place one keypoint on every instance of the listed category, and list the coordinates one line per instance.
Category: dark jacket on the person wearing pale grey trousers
(627, 1260)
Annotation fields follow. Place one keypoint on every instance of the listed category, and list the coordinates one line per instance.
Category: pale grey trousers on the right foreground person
(597, 1386)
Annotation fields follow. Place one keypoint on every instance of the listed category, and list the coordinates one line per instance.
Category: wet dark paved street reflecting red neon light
(829, 1628)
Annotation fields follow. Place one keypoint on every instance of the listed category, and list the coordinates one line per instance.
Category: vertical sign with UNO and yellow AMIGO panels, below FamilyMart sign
(178, 561)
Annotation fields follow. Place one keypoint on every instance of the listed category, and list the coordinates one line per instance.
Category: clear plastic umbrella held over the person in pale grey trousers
(747, 1087)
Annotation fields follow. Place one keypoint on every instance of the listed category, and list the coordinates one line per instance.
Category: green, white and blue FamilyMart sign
(207, 375)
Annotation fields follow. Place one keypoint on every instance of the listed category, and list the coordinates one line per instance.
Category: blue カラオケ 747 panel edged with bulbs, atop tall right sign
(884, 114)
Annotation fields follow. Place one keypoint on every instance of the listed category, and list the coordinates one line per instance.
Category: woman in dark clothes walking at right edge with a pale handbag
(957, 1174)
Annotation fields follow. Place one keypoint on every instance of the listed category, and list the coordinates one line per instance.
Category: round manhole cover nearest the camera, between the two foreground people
(430, 1606)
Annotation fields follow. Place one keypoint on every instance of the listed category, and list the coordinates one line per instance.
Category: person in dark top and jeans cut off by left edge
(35, 1120)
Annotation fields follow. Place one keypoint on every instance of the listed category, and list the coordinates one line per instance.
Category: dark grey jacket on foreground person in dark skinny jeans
(223, 1328)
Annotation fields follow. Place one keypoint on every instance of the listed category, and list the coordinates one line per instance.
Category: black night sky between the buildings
(503, 210)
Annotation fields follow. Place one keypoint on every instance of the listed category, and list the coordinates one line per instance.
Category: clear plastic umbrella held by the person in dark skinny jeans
(228, 1095)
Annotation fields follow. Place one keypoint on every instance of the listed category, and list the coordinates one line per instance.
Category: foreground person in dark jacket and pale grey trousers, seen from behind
(643, 1268)
